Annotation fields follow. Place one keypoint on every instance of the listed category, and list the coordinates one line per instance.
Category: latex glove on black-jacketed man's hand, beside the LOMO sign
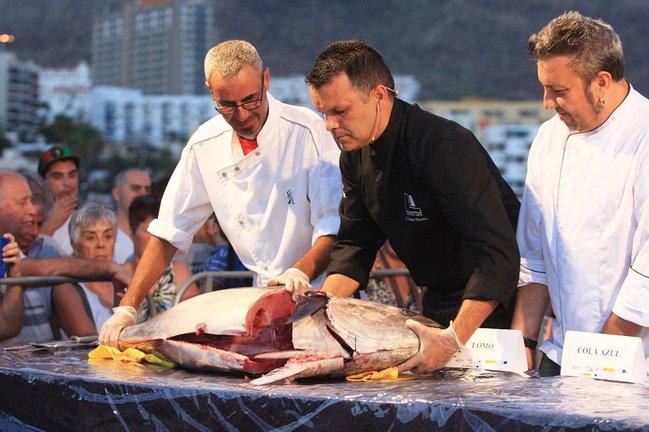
(436, 347)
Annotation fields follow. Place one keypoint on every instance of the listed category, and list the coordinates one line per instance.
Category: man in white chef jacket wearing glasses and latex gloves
(268, 170)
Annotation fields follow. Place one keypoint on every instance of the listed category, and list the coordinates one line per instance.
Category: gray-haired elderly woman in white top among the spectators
(93, 230)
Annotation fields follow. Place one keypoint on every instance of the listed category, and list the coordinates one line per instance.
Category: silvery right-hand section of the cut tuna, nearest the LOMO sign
(349, 336)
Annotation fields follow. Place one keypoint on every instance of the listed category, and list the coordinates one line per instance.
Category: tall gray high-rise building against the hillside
(157, 46)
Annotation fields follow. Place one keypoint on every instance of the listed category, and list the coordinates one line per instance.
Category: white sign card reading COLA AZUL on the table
(604, 356)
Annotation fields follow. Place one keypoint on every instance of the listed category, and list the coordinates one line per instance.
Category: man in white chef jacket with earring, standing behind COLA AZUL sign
(583, 229)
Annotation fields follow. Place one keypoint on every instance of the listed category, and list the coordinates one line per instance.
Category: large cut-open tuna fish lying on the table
(245, 330)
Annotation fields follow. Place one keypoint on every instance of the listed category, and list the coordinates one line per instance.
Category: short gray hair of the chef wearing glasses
(227, 58)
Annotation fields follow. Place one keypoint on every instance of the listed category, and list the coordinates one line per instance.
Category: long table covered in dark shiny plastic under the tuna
(63, 390)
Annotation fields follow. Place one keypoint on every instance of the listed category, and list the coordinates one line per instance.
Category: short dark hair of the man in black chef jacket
(362, 64)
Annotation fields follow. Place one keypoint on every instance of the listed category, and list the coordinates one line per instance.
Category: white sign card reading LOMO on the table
(492, 349)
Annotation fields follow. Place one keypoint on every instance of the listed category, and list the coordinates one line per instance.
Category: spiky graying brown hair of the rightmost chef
(592, 43)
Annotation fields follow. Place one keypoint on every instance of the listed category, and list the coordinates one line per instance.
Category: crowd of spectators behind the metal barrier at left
(50, 232)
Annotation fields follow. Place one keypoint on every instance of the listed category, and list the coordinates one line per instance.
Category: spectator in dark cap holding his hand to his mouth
(59, 167)
